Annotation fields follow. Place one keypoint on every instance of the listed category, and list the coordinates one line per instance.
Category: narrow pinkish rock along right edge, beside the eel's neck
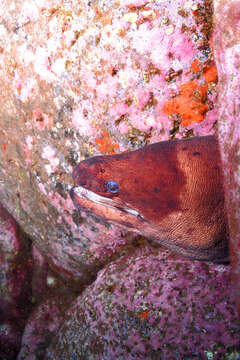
(227, 51)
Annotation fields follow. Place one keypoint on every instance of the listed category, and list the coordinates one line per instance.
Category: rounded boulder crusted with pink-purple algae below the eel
(152, 306)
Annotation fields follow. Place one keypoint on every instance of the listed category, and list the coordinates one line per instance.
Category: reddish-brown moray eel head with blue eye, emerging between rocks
(170, 192)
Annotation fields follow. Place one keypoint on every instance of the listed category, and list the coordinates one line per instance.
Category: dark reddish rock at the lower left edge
(15, 284)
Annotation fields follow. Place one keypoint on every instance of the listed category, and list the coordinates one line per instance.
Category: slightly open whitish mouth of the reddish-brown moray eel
(97, 199)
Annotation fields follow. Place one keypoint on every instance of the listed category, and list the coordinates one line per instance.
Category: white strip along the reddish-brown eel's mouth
(92, 196)
